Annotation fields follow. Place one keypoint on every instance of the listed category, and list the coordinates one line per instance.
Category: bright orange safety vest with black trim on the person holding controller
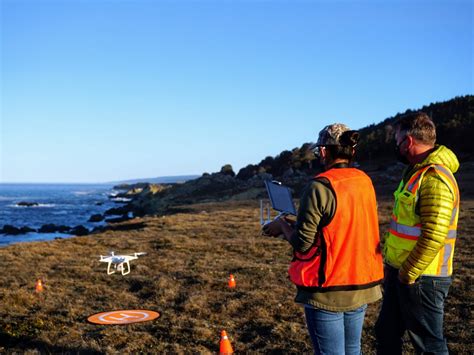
(346, 253)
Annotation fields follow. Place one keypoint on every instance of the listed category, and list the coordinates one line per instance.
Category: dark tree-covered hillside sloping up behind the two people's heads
(455, 127)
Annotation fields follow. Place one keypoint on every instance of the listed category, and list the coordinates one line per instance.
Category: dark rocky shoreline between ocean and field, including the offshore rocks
(145, 199)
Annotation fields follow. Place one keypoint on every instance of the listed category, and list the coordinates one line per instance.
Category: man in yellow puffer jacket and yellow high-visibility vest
(419, 246)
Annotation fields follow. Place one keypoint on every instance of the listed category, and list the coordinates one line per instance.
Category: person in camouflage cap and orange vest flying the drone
(337, 262)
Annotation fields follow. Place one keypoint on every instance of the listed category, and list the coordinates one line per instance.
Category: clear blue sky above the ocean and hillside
(103, 90)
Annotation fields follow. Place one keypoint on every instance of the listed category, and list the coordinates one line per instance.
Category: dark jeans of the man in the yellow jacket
(417, 309)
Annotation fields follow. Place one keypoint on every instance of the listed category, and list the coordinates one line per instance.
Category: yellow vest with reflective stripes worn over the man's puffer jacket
(405, 226)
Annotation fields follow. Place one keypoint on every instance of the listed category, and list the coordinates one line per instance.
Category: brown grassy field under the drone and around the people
(184, 277)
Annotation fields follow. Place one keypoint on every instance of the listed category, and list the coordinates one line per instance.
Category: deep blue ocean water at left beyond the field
(60, 204)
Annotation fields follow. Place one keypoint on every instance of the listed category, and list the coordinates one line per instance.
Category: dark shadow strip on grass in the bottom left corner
(11, 343)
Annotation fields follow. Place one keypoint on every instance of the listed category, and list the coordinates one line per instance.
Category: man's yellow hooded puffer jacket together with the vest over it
(422, 232)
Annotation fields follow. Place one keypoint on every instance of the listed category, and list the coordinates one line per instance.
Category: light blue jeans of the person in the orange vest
(335, 332)
